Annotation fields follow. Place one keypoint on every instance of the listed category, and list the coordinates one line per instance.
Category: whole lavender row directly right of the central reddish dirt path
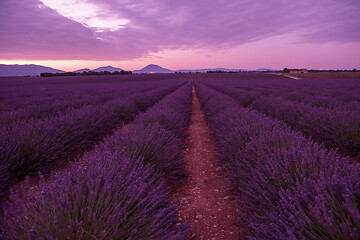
(286, 185)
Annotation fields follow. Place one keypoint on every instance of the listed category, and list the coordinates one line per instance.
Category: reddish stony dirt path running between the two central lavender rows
(205, 201)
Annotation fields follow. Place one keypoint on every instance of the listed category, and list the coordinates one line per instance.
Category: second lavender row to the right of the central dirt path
(337, 127)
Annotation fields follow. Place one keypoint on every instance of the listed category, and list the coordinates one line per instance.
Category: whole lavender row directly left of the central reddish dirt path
(118, 191)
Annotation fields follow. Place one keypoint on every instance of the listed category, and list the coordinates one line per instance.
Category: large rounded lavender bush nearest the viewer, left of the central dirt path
(120, 199)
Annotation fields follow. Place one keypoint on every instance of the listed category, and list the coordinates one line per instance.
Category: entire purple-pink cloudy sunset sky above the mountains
(186, 34)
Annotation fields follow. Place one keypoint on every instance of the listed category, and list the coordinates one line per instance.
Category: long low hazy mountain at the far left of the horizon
(24, 70)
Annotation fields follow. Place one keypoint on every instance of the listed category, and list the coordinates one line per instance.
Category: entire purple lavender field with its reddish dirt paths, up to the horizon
(180, 156)
